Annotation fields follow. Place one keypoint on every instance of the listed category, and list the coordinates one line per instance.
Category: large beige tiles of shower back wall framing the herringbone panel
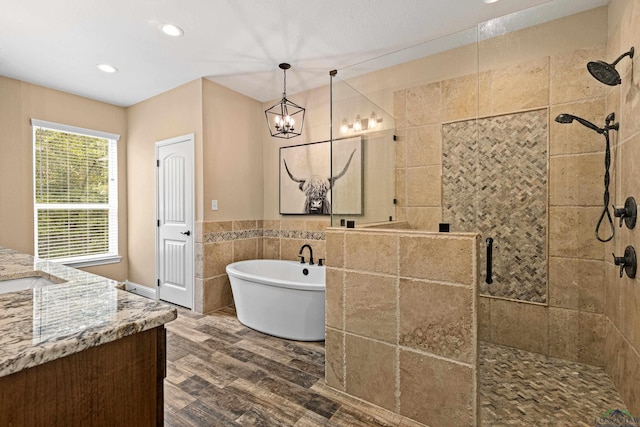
(568, 319)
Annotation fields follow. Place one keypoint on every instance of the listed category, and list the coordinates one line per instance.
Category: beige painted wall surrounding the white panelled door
(173, 113)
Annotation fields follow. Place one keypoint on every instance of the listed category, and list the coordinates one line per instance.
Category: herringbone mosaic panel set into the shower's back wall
(507, 199)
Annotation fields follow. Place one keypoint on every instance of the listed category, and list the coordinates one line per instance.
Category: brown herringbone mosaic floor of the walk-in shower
(520, 388)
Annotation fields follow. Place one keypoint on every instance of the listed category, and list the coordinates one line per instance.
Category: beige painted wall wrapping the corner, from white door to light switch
(228, 160)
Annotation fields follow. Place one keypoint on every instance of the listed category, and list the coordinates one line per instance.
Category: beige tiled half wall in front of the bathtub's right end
(401, 321)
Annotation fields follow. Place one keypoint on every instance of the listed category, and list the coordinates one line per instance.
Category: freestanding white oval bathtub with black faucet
(281, 298)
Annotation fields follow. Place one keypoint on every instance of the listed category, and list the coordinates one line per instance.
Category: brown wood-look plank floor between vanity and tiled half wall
(221, 373)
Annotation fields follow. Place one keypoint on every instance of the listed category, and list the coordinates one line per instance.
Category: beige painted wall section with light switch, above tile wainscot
(232, 154)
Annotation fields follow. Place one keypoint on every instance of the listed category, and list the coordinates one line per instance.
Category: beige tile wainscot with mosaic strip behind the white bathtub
(219, 243)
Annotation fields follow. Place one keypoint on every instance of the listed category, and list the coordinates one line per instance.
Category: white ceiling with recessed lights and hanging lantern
(236, 43)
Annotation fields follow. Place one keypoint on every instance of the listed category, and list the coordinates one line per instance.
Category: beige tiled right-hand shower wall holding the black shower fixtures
(622, 295)
